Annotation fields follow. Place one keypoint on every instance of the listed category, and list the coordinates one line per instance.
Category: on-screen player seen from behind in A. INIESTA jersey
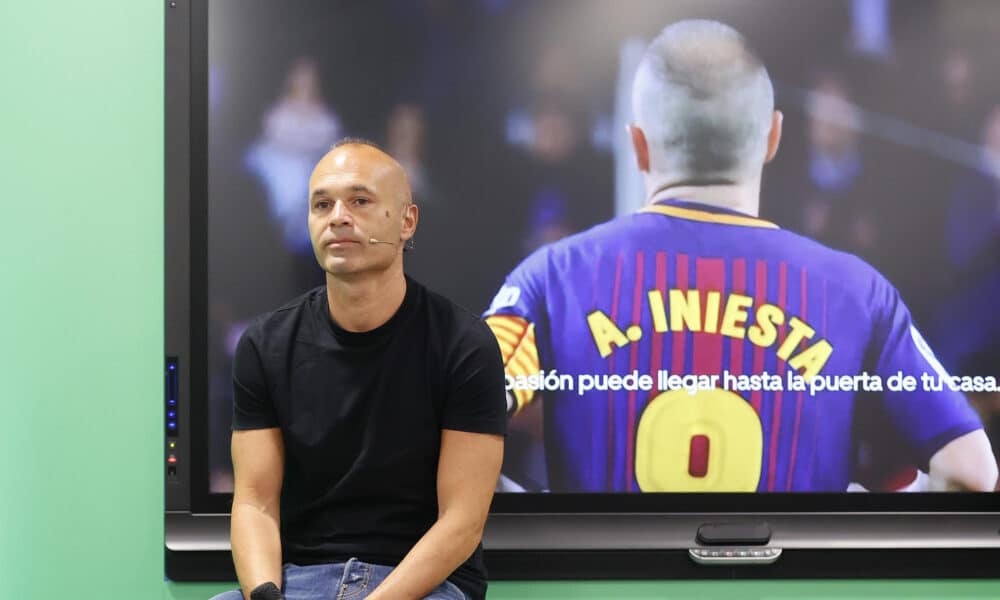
(694, 346)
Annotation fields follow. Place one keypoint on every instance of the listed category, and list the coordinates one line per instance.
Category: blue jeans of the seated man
(352, 580)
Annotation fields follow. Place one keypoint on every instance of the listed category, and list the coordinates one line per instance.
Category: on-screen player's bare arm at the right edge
(964, 464)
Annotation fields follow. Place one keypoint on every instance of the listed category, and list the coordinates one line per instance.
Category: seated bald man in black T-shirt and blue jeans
(369, 414)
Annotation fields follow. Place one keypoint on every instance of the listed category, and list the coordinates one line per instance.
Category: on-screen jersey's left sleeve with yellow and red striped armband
(512, 316)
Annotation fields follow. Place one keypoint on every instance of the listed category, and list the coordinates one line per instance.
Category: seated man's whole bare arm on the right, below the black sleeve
(468, 468)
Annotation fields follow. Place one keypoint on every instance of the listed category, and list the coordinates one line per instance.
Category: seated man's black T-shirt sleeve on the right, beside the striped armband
(476, 399)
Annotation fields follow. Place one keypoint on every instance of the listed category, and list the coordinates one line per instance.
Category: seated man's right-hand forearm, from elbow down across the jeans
(445, 546)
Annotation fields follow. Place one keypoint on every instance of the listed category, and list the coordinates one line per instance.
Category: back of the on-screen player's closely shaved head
(704, 101)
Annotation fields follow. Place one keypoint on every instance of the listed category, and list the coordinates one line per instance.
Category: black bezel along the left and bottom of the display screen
(187, 326)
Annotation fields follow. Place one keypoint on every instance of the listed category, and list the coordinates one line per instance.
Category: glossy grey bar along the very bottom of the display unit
(657, 546)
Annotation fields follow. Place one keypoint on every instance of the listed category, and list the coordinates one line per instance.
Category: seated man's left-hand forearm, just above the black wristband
(256, 542)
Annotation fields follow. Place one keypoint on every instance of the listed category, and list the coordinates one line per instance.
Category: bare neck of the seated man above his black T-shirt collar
(363, 303)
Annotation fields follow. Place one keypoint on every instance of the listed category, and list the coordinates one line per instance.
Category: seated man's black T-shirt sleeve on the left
(252, 404)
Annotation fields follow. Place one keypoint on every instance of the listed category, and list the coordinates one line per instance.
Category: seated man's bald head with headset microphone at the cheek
(357, 193)
